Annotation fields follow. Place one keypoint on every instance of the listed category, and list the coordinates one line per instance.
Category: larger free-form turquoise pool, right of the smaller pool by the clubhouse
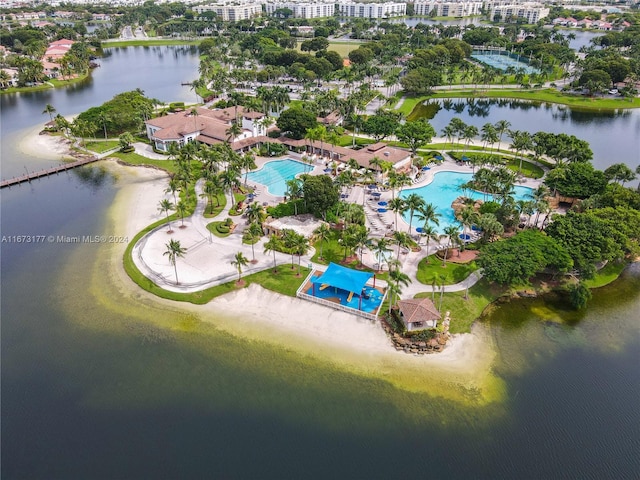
(444, 189)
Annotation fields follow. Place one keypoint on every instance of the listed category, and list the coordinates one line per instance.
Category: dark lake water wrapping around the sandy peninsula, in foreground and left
(99, 381)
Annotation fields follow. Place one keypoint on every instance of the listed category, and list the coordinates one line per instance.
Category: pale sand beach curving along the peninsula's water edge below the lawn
(291, 322)
